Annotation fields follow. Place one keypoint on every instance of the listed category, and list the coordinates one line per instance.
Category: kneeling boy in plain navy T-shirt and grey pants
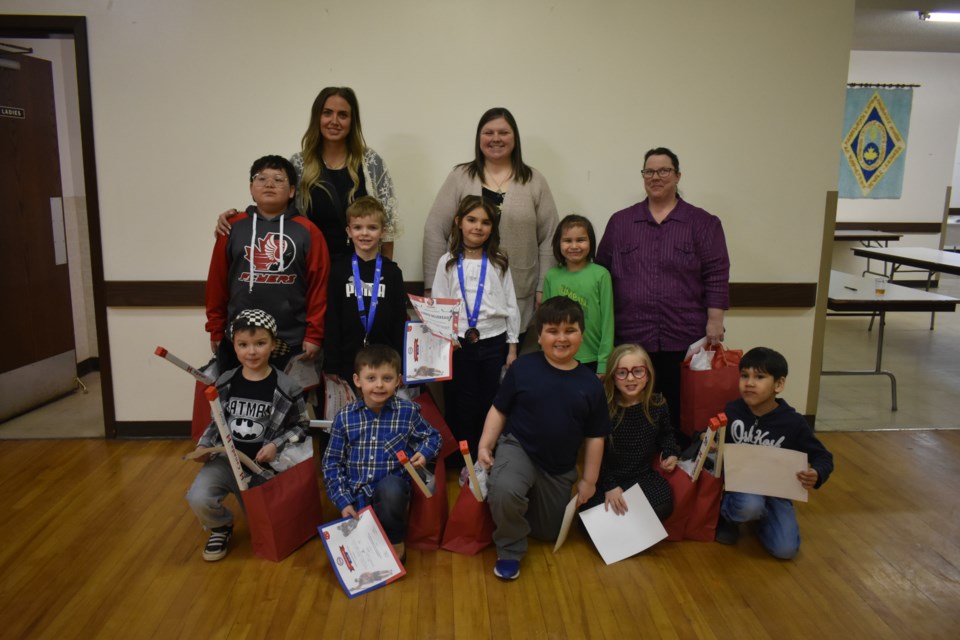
(547, 406)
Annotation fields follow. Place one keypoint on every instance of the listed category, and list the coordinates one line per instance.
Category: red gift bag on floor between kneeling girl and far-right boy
(696, 505)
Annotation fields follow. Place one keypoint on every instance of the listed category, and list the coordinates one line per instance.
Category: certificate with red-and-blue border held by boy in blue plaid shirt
(362, 557)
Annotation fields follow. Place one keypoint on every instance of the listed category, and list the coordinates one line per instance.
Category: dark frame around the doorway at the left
(39, 26)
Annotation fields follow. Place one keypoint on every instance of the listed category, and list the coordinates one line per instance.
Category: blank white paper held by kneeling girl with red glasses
(618, 537)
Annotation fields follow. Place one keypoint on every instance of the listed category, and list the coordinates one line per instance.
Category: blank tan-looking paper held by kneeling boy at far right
(764, 471)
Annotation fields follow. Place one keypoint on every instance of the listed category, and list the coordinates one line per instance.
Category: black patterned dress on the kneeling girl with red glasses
(634, 445)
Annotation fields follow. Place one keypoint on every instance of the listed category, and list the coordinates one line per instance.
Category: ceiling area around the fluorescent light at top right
(894, 25)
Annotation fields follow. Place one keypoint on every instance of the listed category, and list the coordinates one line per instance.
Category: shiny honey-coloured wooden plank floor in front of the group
(98, 542)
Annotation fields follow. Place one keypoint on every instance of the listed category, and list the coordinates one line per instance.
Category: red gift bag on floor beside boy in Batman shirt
(284, 512)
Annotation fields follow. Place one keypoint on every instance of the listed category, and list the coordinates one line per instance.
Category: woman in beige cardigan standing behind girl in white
(528, 215)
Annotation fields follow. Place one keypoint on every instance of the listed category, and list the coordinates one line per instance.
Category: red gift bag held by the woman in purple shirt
(704, 394)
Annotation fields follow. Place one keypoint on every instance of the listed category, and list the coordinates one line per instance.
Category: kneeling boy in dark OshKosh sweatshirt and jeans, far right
(759, 417)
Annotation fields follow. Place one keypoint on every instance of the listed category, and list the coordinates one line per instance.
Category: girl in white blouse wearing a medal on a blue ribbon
(476, 272)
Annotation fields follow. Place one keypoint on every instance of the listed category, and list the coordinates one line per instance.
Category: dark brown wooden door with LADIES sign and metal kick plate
(38, 359)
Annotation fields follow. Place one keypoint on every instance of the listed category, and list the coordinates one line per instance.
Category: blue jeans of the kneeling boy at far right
(776, 526)
